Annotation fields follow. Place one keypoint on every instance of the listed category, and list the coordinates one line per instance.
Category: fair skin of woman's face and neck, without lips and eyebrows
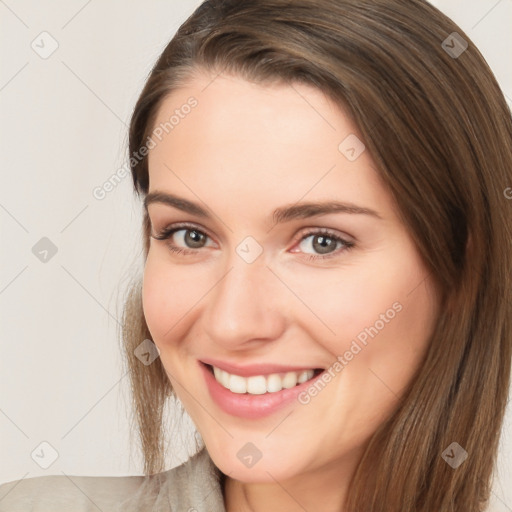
(244, 151)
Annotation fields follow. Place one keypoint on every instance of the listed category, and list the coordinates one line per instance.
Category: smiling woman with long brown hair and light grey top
(327, 266)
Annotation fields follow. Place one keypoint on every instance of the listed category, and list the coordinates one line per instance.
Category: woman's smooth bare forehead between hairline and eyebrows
(243, 142)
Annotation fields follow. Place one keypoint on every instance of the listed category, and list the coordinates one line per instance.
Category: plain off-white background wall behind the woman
(63, 132)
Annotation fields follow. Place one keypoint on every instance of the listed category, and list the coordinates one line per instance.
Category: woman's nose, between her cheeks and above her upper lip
(245, 307)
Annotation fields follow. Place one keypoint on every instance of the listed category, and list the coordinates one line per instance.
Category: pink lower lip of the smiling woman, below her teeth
(245, 405)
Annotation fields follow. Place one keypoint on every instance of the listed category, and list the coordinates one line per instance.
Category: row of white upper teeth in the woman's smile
(260, 384)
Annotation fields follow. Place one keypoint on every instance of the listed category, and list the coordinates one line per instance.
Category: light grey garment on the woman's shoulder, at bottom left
(195, 486)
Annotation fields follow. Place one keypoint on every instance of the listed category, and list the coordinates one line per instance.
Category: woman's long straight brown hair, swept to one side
(440, 133)
